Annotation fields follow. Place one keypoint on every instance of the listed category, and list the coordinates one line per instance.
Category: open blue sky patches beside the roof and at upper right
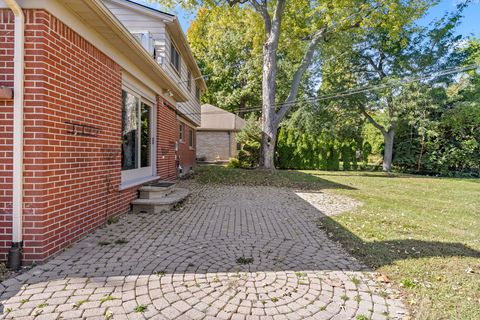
(469, 26)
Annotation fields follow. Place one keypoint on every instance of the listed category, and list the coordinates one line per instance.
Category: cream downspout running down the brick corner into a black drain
(15, 252)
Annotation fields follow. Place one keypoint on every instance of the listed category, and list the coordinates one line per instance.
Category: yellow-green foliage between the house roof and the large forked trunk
(227, 43)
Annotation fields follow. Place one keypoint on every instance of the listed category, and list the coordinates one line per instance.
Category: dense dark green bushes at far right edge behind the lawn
(445, 140)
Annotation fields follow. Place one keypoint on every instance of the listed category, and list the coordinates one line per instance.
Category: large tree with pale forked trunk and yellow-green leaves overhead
(322, 20)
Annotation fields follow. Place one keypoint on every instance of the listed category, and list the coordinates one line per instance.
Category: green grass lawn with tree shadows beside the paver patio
(423, 233)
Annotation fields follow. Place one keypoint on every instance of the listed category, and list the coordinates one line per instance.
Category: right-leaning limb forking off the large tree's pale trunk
(307, 59)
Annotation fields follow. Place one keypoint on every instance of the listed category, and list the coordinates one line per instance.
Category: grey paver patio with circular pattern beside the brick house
(227, 253)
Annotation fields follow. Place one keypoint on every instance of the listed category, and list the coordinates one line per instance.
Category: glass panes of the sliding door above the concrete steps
(137, 132)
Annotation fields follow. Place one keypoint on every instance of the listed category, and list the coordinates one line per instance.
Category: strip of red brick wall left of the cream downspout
(6, 128)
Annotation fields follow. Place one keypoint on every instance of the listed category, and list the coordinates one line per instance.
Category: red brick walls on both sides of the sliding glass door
(71, 182)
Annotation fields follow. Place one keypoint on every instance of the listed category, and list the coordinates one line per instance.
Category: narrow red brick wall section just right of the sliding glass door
(167, 136)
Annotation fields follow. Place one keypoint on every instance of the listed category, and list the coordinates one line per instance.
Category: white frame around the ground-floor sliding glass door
(133, 177)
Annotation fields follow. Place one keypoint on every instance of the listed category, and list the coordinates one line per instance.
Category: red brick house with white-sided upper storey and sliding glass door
(102, 104)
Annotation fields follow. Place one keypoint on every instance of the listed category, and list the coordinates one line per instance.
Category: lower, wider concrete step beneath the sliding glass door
(160, 205)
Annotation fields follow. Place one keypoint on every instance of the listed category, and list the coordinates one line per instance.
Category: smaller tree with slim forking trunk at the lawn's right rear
(381, 63)
